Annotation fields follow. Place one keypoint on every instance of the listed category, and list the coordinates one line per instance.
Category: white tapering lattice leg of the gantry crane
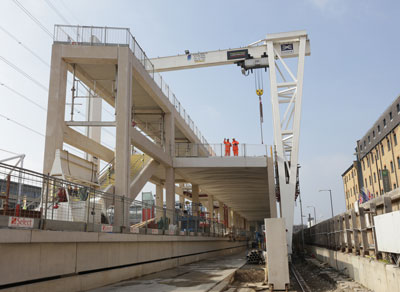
(286, 95)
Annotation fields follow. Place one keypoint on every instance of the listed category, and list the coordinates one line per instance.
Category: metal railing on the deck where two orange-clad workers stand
(219, 150)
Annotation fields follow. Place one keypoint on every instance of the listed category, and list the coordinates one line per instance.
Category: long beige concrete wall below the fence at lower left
(34, 255)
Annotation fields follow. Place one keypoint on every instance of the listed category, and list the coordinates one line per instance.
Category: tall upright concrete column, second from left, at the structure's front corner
(123, 143)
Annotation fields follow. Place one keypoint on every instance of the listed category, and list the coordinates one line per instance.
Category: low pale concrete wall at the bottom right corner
(373, 274)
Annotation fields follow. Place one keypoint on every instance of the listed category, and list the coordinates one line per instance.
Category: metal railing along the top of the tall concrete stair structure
(113, 36)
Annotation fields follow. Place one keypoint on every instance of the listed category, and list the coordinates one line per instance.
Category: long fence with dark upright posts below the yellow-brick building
(355, 231)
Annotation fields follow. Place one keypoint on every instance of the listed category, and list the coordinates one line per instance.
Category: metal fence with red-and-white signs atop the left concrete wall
(47, 200)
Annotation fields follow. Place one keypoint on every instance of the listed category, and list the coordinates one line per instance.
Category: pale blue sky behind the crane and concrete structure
(351, 76)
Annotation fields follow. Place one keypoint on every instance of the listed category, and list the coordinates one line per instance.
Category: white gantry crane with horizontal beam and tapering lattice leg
(286, 95)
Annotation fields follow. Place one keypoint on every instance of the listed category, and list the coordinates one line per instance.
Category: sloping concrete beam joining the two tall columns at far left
(86, 144)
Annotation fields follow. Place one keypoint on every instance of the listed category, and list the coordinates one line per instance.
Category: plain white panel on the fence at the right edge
(387, 232)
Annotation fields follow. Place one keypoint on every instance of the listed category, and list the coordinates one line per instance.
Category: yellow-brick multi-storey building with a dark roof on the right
(377, 167)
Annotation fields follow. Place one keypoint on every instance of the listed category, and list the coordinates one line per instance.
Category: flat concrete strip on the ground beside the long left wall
(199, 276)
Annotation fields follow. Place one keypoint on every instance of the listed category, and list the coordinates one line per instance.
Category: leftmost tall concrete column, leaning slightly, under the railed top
(55, 108)
